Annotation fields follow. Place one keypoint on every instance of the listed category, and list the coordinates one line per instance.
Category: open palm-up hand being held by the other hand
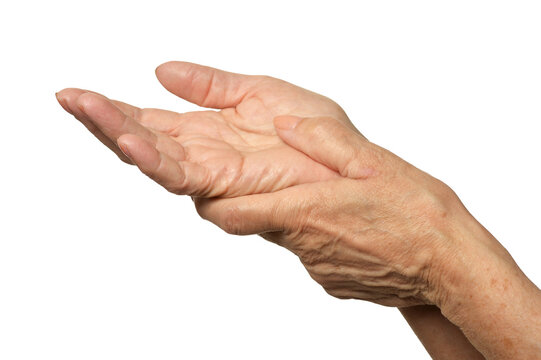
(231, 152)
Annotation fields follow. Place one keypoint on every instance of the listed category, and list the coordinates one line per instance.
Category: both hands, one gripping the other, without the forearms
(283, 162)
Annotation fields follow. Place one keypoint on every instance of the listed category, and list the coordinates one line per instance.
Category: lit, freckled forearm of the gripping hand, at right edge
(485, 294)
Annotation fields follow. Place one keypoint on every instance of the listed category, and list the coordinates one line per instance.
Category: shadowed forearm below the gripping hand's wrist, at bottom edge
(441, 339)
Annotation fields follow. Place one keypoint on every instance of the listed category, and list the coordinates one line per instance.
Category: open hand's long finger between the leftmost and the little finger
(115, 123)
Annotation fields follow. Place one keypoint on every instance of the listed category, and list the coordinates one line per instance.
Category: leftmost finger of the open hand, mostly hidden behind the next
(67, 99)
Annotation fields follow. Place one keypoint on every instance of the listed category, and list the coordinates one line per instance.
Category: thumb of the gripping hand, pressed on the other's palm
(330, 142)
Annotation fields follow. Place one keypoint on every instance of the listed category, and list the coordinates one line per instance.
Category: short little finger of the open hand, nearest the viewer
(178, 177)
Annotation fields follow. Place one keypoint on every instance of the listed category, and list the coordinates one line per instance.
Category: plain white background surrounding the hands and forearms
(98, 262)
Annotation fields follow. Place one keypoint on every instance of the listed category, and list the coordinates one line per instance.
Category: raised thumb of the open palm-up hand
(205, 86)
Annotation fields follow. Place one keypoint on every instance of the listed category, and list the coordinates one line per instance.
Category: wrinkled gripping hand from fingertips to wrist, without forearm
(375, 234)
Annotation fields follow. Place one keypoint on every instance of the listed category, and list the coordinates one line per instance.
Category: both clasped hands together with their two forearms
(283, 162)
